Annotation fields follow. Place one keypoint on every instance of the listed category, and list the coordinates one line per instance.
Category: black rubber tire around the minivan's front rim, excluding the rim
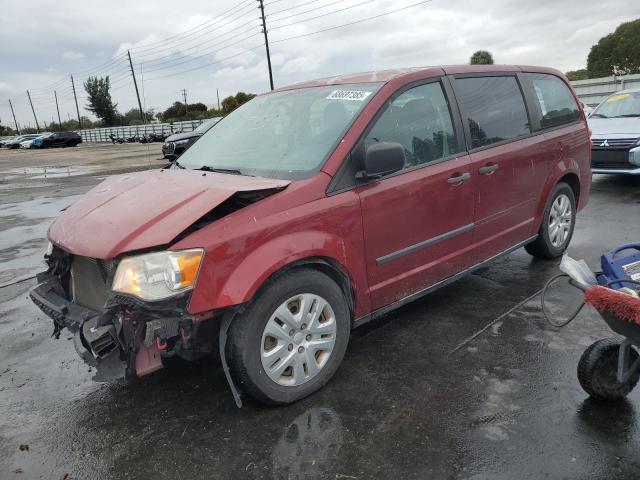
(245, 338)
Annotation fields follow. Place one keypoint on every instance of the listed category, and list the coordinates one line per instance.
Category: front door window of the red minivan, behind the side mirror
(420, 120)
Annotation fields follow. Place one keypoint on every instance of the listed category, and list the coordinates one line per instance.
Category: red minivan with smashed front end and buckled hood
(311, 210)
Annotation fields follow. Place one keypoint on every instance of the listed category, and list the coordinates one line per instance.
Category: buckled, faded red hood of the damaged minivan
(146, 209)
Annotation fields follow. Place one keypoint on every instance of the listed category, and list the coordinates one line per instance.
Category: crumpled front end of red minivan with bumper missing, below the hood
(121, 336)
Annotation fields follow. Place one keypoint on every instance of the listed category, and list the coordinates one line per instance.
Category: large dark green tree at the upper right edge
(617, 53)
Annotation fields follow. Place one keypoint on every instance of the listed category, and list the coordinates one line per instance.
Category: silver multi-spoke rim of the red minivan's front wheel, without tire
(298, 339)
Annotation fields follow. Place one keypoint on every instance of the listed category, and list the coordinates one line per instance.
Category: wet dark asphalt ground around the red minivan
(451, 386)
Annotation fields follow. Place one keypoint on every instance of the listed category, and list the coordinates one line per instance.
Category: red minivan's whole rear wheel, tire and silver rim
(557, 226)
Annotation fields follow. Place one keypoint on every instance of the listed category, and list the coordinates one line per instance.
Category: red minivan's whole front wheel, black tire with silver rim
(291, 339)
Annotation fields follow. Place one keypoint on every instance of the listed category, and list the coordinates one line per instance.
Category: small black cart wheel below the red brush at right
(597, 371)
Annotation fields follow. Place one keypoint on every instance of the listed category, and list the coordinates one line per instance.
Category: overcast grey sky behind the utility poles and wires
(43, 41)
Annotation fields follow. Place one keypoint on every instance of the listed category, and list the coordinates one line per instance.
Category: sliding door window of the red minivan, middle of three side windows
(494, 108)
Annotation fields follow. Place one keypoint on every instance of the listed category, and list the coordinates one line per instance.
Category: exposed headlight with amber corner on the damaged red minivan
(156, 276)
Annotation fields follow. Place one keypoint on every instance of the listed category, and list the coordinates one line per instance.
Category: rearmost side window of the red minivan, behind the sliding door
(557, 105)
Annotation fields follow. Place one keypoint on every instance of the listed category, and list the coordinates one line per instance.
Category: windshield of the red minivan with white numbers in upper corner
(286, 135)
